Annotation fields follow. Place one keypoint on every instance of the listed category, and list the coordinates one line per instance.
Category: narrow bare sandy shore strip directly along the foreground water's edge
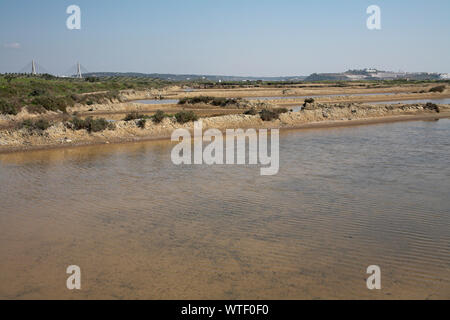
(238, 121)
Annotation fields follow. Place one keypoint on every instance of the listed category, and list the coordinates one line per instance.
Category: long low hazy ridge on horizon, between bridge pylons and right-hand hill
(187, 77)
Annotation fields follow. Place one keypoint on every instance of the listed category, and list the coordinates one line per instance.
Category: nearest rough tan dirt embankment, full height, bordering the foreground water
(315, 114)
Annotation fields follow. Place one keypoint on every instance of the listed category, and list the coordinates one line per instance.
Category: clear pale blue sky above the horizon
(229, 37)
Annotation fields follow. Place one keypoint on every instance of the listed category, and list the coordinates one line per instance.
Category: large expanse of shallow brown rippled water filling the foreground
(140, 227)
